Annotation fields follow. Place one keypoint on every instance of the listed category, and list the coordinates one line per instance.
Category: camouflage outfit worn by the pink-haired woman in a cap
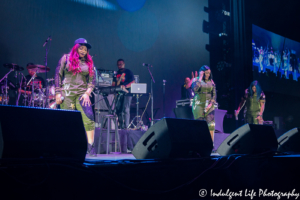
(72, 87)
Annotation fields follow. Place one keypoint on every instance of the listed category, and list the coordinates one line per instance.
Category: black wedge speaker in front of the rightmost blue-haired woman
(249, 139)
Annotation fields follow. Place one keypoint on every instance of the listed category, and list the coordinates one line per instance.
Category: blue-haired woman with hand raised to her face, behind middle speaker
(205, 98)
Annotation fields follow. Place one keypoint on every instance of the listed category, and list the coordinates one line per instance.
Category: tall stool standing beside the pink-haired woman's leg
(108, 131)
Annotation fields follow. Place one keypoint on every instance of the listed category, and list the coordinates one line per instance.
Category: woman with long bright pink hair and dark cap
(75, 80)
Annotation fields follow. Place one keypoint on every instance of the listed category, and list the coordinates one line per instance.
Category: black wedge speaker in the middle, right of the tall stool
(174, 138)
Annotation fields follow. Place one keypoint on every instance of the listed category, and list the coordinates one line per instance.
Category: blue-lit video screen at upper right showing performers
(276, 61)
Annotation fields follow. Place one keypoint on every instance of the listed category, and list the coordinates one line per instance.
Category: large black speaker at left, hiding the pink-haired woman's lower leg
(27, 132)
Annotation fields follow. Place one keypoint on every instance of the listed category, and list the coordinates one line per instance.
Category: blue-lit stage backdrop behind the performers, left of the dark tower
(165, 33)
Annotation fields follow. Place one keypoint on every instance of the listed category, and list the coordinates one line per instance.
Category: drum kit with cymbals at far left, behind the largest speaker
(33, 93)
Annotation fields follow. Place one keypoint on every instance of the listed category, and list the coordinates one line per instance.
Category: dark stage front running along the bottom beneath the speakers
(118, 176)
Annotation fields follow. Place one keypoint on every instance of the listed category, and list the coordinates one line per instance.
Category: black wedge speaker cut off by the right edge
(289, 141)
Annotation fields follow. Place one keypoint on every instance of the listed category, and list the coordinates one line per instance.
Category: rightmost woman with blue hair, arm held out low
(254, 101)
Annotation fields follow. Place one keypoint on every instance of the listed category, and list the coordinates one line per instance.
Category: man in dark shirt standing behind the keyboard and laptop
(124, 78)
